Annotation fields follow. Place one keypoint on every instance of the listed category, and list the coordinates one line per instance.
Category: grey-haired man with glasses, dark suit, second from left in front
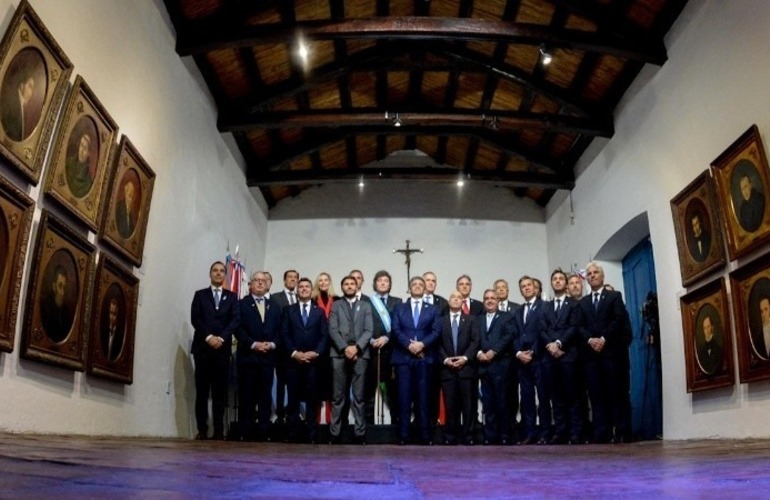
(258, 338)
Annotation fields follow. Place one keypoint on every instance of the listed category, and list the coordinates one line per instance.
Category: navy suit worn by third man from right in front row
(533, 376)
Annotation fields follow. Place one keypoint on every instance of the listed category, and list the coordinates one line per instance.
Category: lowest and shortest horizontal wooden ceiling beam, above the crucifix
(434, 174)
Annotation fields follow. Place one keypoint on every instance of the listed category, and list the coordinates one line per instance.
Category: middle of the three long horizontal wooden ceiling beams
(415, 121)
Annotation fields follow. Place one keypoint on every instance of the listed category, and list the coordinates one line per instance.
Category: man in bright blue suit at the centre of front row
(416, 331)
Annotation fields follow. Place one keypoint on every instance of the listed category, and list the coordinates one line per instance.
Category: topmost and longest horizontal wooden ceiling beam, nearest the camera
(203, 36)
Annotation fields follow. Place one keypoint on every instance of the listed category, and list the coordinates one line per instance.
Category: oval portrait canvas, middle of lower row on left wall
(58, 296)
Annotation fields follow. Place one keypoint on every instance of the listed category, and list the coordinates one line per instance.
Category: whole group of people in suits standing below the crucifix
(538, 359)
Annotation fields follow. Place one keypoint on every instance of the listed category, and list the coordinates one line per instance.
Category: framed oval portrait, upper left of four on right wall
(698, 229)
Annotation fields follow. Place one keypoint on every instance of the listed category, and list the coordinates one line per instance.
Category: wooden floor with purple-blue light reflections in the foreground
(61, 467)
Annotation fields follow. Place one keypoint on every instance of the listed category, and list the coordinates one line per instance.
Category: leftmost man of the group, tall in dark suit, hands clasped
(214, 316)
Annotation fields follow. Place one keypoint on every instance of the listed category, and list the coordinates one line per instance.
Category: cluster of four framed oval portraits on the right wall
(726, 204)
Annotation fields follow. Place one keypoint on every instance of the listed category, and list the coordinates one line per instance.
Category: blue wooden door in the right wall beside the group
(646, 390)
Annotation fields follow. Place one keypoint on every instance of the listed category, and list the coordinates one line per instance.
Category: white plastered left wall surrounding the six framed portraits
(125, 52)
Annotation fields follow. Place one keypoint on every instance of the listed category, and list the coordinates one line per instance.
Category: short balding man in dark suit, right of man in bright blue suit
(457, 350)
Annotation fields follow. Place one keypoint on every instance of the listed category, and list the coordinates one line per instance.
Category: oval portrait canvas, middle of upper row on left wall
(82, 153)
